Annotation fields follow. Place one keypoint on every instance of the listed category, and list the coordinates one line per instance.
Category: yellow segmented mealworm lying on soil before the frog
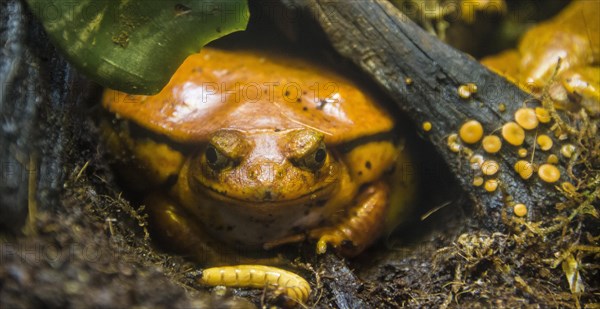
(258, 276)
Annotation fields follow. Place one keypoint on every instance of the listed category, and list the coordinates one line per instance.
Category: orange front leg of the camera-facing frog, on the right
(363, 223)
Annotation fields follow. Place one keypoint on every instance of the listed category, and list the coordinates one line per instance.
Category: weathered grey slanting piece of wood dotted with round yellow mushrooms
(390, 49)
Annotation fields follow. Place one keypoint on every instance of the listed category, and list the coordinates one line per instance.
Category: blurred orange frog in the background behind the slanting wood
(574, 37)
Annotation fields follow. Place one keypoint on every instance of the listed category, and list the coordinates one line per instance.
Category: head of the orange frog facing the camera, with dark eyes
(270, 167)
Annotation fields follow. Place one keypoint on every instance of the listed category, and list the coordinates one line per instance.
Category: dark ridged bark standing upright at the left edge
(37, 100)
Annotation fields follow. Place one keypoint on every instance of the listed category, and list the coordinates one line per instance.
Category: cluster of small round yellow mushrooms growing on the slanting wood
(479, 148)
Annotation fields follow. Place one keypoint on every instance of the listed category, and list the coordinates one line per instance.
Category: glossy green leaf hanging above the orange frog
(136, 45)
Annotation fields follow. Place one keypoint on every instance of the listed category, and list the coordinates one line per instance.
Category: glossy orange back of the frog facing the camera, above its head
(246, 91)
